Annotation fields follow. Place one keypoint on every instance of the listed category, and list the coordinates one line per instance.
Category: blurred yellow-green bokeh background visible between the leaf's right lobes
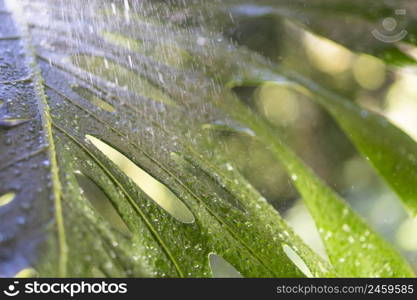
(369, 81)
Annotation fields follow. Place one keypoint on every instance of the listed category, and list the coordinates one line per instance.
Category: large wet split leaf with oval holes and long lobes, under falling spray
(90, 93)
